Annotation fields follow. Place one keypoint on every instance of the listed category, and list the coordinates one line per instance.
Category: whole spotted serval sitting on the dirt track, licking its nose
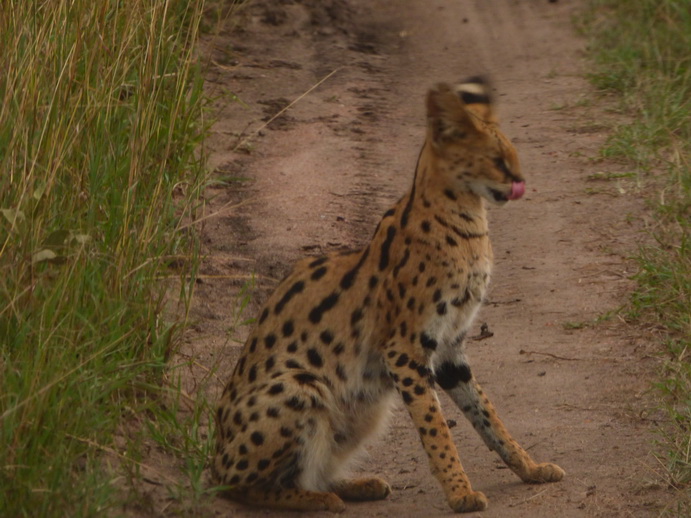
(344, 334)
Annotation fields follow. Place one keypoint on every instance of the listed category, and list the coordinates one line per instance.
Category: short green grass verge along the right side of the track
(642, 54)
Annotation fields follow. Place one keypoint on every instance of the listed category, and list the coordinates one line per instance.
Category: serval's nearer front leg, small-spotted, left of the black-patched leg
(414, 382)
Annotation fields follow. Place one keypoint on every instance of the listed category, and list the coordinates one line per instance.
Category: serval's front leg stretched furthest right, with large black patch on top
(455, 377)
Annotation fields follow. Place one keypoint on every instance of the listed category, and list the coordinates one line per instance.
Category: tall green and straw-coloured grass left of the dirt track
(99, 126)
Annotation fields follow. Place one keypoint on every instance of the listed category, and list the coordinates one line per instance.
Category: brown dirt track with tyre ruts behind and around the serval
(319, 118)
